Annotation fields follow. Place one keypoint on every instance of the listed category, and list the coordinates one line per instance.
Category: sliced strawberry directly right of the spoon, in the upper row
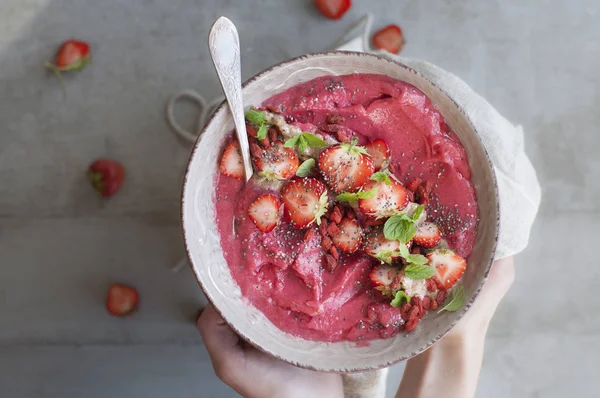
(276, 162)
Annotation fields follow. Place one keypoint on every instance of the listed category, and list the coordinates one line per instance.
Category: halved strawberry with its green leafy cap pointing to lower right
(305, 201)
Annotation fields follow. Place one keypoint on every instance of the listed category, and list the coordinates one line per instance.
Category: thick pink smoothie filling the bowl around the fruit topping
(281, 274)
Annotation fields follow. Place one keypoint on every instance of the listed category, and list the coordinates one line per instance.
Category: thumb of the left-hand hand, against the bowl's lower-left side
(221, 342)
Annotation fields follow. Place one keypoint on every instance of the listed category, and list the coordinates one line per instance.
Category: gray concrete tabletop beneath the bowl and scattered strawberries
(60, 246)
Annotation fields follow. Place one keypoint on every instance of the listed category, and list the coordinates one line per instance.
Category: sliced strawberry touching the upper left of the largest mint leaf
(388, 200)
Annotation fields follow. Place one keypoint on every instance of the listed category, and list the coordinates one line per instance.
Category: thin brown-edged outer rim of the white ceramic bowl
(466, 306)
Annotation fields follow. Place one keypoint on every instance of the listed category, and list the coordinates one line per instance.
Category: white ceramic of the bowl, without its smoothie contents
(203, 244)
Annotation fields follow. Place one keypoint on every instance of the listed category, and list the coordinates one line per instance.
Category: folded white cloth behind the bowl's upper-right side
(518, 187)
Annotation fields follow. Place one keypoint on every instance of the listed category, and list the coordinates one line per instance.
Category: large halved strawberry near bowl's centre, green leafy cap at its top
(345, 167)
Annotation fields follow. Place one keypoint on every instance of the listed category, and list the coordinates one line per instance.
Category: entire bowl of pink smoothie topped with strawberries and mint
(369, 226)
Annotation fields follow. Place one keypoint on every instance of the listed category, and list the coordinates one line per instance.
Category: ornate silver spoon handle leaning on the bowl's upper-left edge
(224, 47)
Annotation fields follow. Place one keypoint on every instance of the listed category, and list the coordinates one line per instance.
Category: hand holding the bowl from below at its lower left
(254, 374)
